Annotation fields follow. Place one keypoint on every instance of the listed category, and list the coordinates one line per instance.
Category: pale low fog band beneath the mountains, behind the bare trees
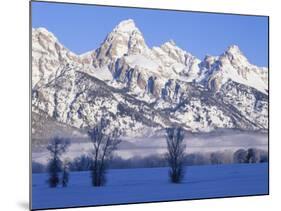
(221, 141)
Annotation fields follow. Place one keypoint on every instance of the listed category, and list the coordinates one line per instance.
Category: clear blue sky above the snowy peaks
(82, 28)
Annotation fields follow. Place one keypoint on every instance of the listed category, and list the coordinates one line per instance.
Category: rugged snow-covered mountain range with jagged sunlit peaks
(141, 89)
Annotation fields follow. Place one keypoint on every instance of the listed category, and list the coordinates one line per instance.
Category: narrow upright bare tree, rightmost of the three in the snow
(176, 153)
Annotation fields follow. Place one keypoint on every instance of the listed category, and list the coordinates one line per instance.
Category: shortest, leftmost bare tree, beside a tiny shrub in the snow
(56, 148)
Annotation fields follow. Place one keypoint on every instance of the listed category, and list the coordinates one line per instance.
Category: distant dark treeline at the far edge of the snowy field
(84, 162)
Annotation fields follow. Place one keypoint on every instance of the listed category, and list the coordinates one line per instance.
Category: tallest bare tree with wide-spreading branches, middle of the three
(103, 146)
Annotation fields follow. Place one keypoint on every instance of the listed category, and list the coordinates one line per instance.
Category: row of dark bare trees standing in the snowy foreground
(104, 143)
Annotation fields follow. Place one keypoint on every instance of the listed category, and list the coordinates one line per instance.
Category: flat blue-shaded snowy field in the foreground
(152, 184)
